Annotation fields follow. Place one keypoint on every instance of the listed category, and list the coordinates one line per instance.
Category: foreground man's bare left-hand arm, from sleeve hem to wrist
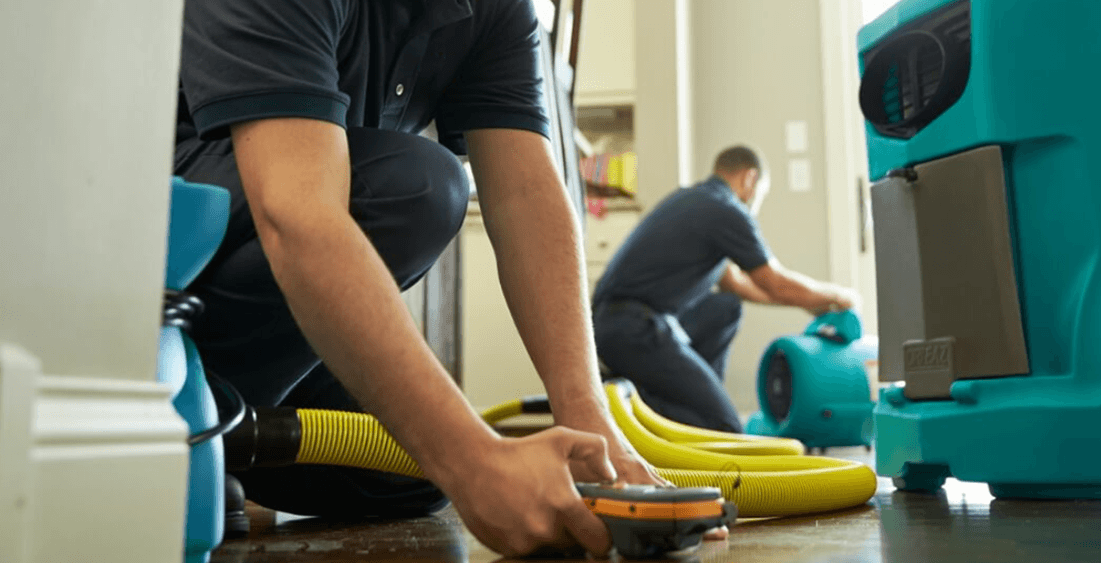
(341, 293)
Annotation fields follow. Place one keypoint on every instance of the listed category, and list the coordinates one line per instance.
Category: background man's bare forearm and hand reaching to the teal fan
(790, 288)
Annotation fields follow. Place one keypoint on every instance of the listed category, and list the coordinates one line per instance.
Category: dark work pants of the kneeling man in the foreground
(410, 196)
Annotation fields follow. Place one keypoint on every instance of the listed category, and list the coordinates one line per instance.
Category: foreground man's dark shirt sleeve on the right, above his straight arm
(500, 85)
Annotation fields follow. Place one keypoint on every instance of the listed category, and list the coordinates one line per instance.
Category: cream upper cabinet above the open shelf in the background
(606, 57)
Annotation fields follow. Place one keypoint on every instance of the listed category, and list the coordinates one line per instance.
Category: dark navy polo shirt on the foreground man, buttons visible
(386, 64)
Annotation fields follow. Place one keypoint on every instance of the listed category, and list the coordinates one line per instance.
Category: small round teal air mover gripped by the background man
(814, 387)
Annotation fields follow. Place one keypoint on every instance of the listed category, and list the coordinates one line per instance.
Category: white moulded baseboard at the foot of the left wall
(106, 472)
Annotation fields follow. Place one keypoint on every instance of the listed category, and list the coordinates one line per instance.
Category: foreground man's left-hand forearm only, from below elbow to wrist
(344, 299)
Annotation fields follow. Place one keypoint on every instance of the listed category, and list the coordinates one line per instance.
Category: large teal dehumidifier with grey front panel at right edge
(982, 134)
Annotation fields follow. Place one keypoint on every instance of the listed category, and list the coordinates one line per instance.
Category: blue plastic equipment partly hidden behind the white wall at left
(199, 219)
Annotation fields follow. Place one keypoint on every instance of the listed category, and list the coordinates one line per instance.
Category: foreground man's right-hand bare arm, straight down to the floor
(537, 239)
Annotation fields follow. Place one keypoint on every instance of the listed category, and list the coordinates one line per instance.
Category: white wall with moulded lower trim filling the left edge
(94, 462)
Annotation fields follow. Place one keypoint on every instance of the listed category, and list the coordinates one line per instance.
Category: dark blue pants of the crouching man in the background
(675, 362)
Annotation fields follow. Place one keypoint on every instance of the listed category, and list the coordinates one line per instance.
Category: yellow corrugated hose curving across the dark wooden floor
(746, 469)
